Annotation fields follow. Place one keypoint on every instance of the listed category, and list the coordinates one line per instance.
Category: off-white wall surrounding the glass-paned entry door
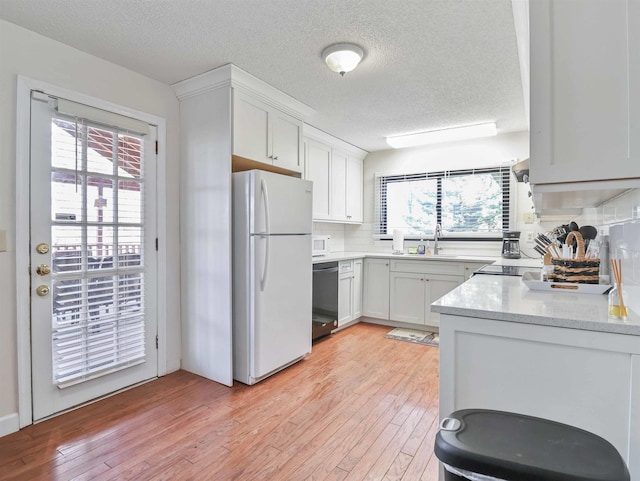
(39, 58)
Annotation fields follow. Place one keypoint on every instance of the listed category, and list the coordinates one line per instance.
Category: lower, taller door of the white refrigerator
(281, 331)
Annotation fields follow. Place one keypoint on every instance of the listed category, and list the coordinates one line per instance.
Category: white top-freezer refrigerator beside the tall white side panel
(272, 273)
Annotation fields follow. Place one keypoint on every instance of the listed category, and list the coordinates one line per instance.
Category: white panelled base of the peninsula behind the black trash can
(583, 378)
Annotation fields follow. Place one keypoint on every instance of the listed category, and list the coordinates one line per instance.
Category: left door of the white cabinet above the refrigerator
(250, 128)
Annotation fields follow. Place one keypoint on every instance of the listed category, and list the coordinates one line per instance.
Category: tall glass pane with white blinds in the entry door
(97, 249)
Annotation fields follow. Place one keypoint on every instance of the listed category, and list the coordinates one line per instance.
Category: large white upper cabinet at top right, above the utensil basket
(585, 90)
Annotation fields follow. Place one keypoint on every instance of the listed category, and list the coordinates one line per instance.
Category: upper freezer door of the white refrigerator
(282, 204)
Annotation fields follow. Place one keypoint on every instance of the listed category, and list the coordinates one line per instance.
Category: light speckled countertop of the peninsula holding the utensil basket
(506, 298)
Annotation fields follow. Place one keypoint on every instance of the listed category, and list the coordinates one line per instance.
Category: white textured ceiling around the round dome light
(428, 64)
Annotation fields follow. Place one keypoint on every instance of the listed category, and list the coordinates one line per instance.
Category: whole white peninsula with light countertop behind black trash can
(550, 354)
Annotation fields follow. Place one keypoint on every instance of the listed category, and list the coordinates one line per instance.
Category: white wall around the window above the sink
(457, 155)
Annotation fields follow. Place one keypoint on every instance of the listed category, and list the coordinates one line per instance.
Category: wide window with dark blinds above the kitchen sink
(468, 204)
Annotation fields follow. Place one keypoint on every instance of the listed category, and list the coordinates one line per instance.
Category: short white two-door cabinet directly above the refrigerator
(265, 134)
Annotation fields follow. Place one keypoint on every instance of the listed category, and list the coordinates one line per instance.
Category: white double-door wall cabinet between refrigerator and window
(335, 168)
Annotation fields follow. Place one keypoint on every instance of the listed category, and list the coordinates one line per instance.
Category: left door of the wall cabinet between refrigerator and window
(318, 170)
